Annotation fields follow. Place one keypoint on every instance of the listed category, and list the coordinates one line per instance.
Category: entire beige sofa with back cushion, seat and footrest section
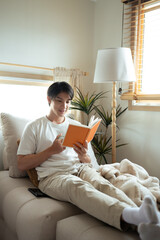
(25, 217)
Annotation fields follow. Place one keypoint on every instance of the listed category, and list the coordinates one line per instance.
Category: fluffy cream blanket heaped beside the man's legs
(132, 179)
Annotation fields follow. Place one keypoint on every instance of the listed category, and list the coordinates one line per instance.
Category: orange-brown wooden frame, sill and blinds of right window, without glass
(136, 99)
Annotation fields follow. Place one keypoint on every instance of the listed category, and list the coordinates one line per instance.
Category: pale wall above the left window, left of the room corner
(47, 33)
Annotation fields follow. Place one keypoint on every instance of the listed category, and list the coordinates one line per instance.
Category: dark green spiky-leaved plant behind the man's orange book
(89, 104)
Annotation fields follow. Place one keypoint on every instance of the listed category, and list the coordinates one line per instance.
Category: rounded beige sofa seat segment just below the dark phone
(37, 219)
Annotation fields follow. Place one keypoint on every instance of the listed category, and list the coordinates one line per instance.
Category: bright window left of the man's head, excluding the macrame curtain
(23, 90)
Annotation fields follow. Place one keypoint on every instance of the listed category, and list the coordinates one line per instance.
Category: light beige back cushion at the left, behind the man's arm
(12, 128)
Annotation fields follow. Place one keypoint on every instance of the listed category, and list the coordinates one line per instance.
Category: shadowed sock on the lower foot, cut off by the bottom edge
(148, 231)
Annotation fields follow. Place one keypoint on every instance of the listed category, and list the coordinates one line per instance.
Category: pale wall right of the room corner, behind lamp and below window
(140, 129)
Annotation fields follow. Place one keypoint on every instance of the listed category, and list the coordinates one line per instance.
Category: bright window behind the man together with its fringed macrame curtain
(23, 88)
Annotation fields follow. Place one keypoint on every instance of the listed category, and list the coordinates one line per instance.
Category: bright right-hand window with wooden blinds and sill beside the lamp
(141, 32)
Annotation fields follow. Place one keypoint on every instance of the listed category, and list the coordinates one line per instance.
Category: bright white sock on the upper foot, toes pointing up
(146, 213)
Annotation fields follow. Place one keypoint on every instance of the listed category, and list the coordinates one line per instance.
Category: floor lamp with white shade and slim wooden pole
(114, 65)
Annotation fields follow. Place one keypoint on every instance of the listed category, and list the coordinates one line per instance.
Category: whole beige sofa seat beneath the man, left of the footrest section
(30, 217)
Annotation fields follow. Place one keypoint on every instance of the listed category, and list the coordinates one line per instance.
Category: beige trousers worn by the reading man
(89, 191)
